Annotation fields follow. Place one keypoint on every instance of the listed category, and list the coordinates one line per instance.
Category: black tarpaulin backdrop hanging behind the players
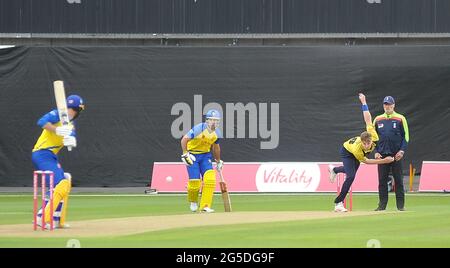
(129, 93)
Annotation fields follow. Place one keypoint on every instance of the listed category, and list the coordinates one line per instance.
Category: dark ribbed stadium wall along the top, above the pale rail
(218, 16)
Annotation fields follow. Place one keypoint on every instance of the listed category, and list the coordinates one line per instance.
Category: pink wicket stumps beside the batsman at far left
(35, 197)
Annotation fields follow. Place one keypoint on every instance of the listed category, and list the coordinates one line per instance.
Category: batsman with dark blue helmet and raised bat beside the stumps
(54, 136)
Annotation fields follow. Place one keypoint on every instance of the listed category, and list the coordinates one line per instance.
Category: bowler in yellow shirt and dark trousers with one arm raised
(353, 152)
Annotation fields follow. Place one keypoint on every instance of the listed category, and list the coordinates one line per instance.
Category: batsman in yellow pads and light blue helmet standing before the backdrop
(196, 146)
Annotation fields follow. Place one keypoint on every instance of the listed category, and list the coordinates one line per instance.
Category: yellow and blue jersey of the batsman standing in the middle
(201, 139)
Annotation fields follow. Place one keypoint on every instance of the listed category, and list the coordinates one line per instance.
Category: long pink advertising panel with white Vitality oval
(281, 177)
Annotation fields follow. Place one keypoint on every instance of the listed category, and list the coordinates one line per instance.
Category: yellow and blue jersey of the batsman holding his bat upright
(49, 140)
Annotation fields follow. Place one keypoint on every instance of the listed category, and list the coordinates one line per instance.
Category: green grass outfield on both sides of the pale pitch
(425, 224)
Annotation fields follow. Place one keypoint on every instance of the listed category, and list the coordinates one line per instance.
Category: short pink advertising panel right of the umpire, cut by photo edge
(435, 176)
